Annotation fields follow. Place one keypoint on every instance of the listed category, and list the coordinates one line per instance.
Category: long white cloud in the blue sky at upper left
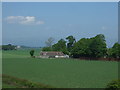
(25, 20)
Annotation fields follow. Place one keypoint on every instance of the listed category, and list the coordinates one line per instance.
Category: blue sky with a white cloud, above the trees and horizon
(31, 24)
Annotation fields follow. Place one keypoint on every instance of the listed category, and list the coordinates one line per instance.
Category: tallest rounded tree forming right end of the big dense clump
(98, 46)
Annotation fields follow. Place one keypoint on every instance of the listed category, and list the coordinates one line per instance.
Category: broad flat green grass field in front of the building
(60, 73)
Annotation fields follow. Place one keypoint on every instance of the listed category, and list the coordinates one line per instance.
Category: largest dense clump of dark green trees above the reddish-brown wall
(93, 47)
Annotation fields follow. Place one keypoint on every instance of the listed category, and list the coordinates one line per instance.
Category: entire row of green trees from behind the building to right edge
(85, 47)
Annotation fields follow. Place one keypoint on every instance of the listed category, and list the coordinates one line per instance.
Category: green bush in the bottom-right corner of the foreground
(114, 85)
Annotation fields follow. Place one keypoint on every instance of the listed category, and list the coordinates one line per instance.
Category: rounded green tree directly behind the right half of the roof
(60, 46)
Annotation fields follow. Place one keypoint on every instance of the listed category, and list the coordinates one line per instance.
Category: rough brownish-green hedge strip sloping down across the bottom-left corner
(22, 83)
